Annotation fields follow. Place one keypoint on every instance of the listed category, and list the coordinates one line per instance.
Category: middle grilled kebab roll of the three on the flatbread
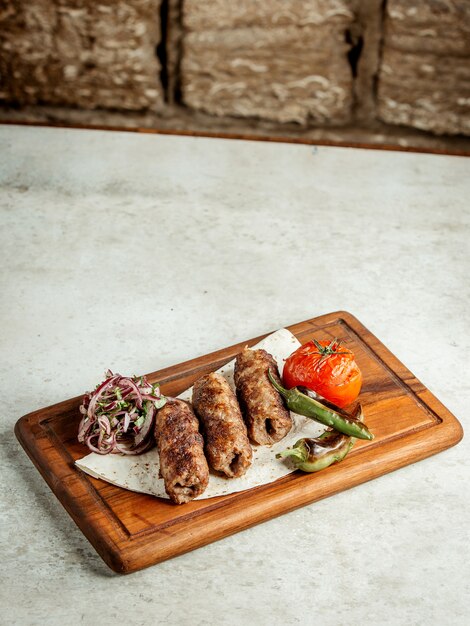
(227, 448)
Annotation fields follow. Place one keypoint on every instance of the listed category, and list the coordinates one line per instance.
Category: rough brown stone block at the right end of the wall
(424, 78)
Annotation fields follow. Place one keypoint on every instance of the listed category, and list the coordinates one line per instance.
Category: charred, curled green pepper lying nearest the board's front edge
(312, 455)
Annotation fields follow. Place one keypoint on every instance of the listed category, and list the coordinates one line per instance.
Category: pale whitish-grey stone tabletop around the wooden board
(139, 251)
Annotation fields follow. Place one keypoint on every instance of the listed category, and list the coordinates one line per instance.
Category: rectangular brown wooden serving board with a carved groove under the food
(131, 531)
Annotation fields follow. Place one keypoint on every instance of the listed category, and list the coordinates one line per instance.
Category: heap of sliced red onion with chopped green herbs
(119, 415)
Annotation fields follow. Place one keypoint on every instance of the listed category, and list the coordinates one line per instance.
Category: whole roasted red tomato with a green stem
(327, 368)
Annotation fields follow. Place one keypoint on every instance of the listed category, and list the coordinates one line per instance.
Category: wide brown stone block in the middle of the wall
(284, 60)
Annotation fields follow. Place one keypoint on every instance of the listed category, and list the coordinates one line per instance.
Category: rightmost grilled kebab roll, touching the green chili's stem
(266, 417)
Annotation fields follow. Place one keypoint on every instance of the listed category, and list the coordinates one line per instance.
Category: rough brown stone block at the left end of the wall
(80, 53)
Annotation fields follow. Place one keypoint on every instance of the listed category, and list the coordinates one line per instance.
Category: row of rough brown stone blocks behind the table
(304, 63)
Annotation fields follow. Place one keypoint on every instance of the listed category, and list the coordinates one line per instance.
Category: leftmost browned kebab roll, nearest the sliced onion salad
(183, 465)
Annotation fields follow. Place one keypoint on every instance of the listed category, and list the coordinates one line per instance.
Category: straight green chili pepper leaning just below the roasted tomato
(326, 414)
